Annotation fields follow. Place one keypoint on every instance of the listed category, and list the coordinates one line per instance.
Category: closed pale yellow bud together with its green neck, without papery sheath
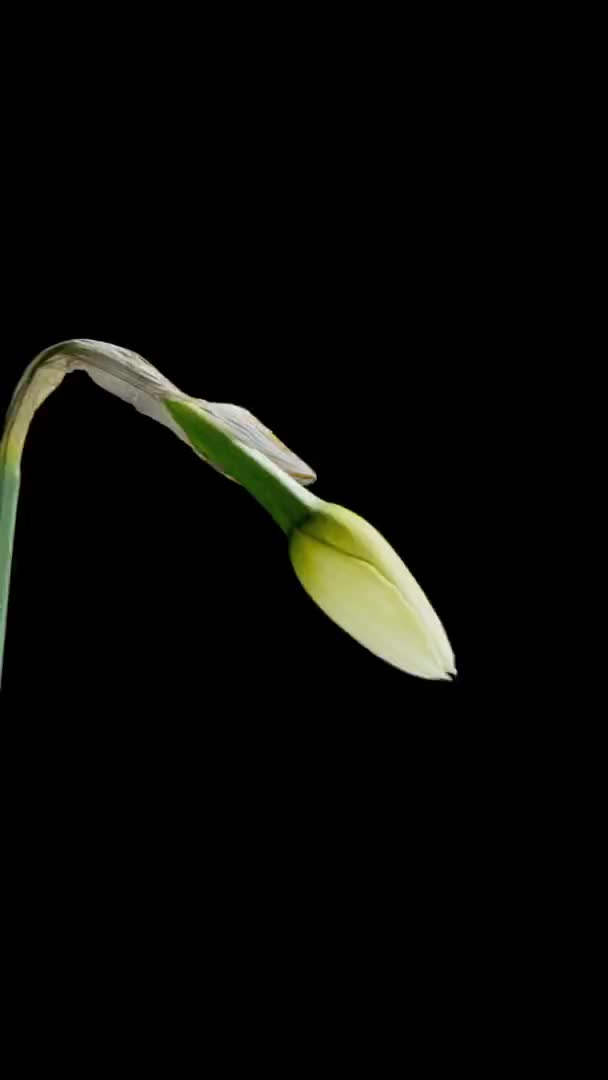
(343, 562)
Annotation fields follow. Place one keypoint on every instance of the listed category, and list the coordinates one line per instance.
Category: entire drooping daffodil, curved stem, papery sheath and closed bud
(344, 564)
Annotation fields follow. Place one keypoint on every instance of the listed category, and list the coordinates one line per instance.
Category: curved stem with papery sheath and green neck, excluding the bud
(226, 437)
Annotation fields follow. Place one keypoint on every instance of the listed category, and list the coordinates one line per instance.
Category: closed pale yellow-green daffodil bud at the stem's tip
(356, 578)
